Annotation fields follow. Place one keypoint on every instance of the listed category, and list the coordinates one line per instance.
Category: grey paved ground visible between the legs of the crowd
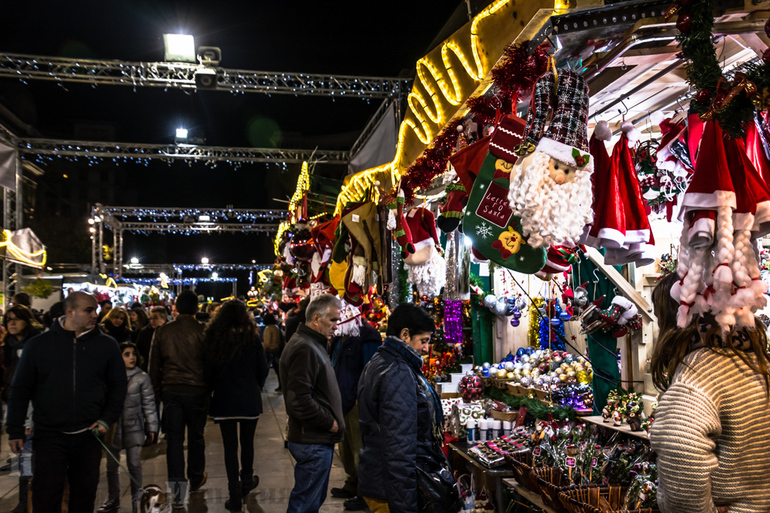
(273, 464)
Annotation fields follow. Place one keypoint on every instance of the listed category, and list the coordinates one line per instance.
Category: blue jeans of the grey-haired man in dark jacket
(311, 476)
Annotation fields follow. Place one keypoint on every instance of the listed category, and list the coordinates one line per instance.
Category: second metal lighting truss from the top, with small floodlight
(172, 152)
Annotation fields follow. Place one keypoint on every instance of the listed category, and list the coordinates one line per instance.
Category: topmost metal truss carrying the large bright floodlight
(182, 76)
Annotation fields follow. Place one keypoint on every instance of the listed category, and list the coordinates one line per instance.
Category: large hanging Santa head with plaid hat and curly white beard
(550, 187)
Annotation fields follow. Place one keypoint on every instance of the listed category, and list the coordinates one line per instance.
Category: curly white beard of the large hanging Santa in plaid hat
(551, 214)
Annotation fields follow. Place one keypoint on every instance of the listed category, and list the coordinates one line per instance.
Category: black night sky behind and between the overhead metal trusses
(342, 37)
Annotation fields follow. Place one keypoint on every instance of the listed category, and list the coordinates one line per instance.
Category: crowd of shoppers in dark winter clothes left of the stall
(87, 378)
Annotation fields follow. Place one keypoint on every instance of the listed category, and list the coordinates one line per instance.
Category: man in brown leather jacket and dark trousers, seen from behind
(177, 372)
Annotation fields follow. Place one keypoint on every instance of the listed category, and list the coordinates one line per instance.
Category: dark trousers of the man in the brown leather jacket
(180, 411)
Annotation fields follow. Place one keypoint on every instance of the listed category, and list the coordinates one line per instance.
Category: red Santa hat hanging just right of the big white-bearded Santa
(609, 226)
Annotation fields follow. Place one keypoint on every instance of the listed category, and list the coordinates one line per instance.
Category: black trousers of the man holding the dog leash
(58, 456)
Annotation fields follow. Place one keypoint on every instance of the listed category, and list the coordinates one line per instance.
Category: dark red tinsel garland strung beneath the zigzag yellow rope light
(516, 74)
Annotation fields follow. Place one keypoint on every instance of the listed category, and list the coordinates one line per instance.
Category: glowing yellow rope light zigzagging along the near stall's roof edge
(419, 107)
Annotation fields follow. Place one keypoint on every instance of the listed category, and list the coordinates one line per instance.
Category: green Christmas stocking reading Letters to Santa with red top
(489, 221)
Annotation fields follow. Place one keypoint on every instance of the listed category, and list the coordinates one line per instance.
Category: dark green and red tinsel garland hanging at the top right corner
(727, 102)
